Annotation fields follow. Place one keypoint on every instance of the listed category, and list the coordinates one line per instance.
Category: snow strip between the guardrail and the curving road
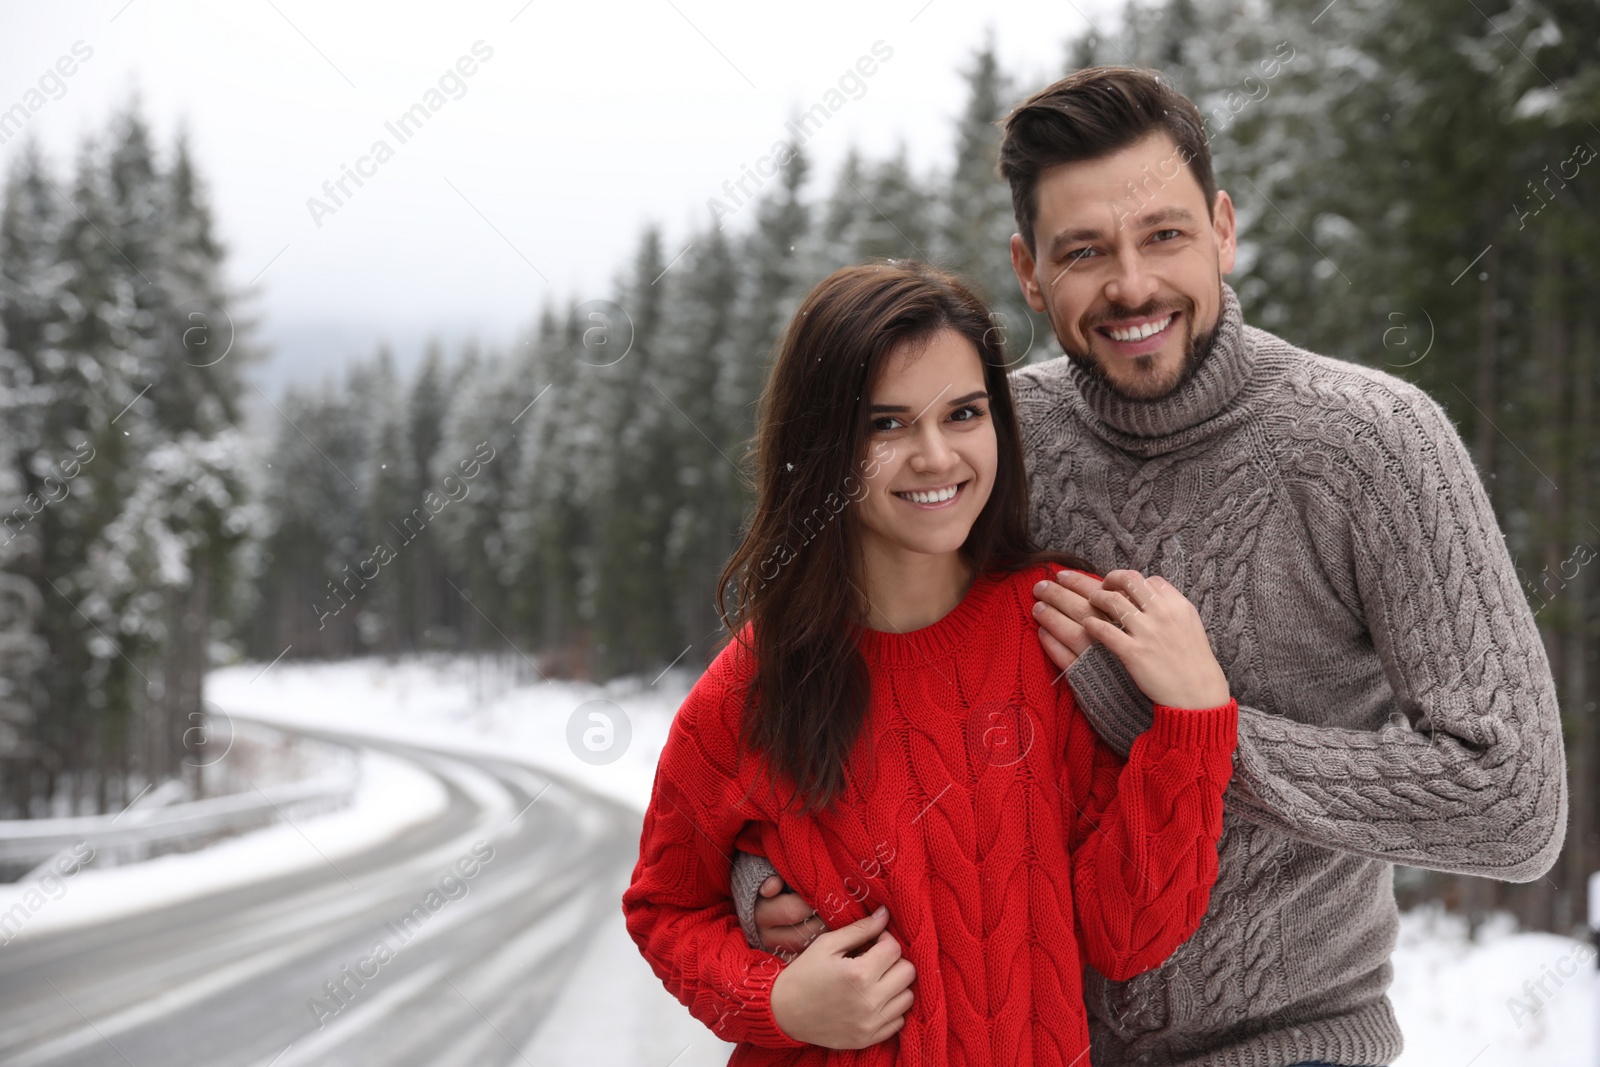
(391, 797)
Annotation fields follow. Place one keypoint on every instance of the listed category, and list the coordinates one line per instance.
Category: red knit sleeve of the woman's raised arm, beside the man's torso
(1143, 834)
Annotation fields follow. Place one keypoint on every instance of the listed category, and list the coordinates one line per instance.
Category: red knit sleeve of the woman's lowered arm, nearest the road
(679, 909)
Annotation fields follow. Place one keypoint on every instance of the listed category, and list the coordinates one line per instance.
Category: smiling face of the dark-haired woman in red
(932, 449)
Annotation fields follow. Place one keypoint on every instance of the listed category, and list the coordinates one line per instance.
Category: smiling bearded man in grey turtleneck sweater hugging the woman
(1396, 701)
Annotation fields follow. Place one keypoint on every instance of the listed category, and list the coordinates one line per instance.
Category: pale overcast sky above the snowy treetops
(578, 126)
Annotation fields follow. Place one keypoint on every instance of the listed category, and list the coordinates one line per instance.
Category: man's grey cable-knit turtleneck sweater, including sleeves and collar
(1396, 701)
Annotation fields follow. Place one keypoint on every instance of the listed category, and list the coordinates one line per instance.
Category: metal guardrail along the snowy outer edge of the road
(143, 833)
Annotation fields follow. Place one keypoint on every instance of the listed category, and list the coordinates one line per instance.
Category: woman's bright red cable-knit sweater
(1009, 842)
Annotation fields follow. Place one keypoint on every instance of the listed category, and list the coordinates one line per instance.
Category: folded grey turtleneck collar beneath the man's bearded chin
(1196, 410)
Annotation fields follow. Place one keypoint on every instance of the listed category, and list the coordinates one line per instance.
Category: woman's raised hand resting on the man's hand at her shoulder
(1150, 626)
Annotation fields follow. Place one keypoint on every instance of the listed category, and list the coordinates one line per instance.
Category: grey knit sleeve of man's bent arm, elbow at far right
(1468, 773)
